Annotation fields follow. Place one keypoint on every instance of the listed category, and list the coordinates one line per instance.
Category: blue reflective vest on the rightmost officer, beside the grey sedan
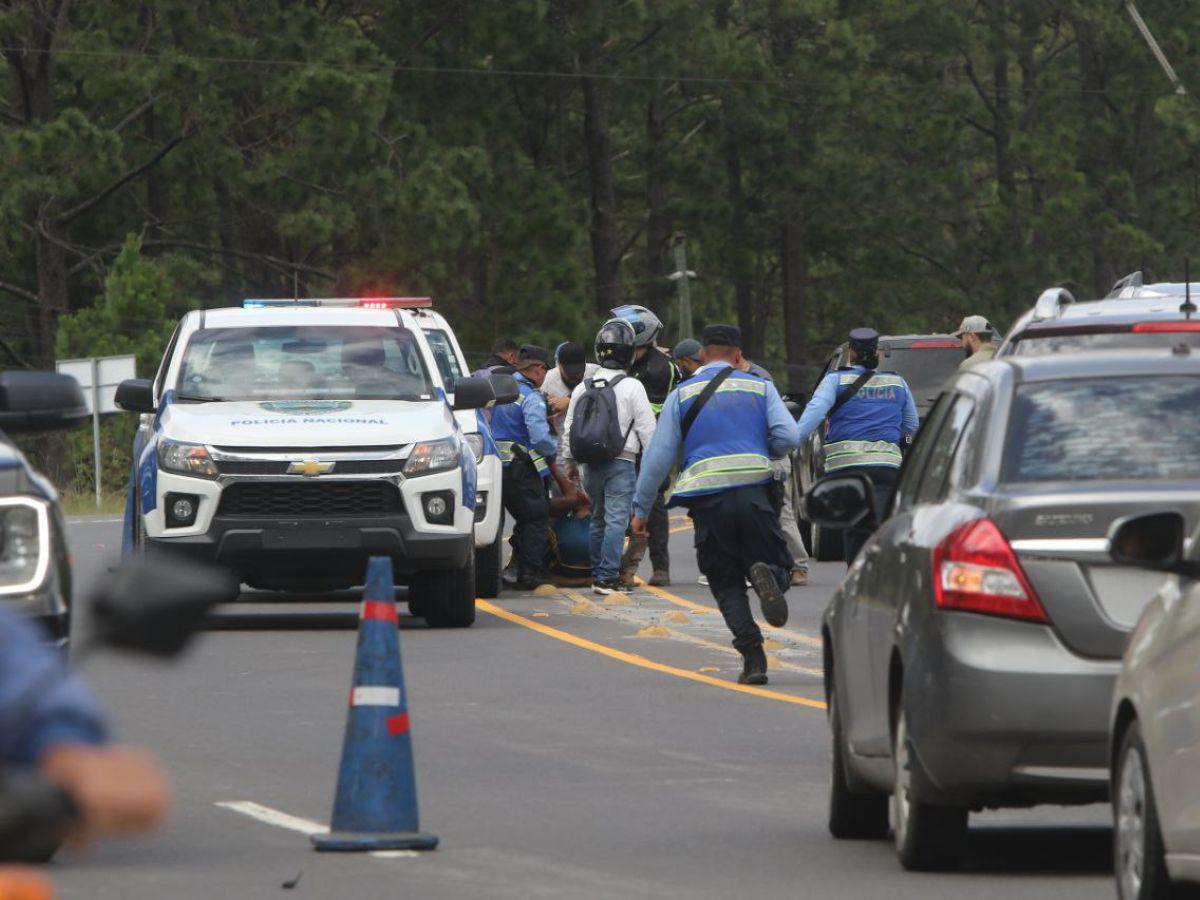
(868, 428)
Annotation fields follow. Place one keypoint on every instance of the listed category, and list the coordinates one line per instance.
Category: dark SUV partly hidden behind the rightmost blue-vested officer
(926, 363)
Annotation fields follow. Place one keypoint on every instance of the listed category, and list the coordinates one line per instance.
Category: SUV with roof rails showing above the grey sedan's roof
(1135, 316)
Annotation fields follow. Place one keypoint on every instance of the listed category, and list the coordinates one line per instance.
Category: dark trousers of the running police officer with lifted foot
(736, 530)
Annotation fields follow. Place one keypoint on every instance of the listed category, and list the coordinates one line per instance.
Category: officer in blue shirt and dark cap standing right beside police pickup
(527, 448)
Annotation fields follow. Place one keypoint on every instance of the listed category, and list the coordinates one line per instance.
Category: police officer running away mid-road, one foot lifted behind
(728, 425)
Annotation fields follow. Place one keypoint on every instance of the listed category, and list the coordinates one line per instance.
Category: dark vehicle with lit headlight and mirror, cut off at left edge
(35, 571)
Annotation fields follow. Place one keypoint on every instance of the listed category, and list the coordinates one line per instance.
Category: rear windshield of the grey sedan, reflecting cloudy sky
(1113, 429)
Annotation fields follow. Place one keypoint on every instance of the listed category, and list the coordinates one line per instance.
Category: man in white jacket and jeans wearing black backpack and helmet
(609, 422)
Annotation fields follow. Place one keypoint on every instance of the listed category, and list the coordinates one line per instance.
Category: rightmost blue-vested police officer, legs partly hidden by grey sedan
(867, 428)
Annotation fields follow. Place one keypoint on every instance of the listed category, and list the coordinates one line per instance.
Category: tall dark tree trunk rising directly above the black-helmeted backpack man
(605, 248)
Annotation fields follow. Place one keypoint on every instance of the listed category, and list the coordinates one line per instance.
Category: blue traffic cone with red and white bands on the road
(376, 802)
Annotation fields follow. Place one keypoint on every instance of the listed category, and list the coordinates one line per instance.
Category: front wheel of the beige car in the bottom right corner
(1138, 851)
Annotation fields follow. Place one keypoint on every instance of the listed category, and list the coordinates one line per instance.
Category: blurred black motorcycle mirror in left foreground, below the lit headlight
(155, 604)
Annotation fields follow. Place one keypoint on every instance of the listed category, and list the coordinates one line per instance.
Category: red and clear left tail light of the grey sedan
(976, 571)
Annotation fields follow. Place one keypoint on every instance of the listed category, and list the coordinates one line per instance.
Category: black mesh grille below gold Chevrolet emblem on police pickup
(310, 500)
